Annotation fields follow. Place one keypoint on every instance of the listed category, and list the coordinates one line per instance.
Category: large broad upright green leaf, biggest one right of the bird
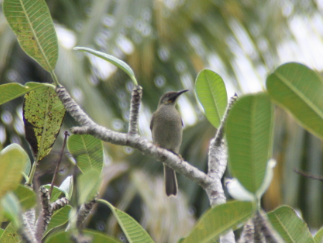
(249, 135)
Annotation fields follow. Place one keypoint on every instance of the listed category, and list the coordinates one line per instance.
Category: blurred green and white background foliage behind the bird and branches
(167, 42)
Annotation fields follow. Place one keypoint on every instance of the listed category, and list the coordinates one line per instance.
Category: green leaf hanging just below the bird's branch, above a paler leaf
(87, 150)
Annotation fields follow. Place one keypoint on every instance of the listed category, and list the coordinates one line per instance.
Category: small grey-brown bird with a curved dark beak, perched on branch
(166, 127)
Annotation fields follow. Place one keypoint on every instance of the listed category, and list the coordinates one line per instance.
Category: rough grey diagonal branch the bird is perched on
(134, 141)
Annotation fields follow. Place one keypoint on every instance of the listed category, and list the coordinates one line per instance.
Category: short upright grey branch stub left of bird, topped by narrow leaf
(136, 96)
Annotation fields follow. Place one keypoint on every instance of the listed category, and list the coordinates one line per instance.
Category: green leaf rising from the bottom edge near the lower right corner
(290, 227)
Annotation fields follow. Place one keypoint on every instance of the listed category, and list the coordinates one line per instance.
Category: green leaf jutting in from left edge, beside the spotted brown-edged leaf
(12, 91)
